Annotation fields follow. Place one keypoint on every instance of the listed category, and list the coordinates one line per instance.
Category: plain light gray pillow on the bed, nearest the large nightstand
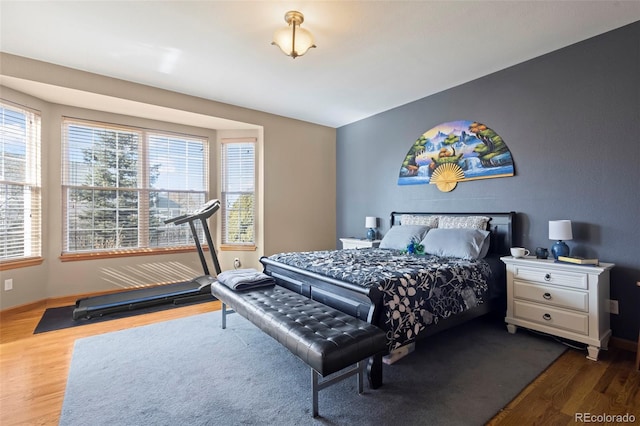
(463, 243)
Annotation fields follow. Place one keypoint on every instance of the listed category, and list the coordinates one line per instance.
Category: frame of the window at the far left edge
(33, 182)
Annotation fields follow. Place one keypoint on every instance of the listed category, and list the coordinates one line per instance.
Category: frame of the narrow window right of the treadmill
(232, 246)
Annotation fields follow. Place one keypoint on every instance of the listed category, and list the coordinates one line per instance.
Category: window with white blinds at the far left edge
(20, 191)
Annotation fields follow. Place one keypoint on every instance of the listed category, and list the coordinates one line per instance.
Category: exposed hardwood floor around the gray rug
(34, 369)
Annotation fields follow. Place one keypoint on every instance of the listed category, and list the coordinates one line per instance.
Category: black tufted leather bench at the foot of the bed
(328, 340)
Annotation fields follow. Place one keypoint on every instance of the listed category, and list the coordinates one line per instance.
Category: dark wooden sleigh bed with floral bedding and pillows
(409, 296)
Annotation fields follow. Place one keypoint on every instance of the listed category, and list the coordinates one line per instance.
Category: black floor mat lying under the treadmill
(59, 318)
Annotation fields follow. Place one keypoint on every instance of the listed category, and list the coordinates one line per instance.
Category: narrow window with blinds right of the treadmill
(238, 193)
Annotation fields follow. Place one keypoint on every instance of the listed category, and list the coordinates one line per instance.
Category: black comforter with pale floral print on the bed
(416, 290)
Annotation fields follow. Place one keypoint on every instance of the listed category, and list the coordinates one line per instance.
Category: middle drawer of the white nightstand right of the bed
(551, 295)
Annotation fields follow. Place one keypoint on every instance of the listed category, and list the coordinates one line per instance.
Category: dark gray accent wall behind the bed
(571, 119)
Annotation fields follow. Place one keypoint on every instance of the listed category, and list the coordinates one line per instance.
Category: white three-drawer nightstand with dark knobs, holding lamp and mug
(569, 301)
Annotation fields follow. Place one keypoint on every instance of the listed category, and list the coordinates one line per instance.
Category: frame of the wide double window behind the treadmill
(143, 187)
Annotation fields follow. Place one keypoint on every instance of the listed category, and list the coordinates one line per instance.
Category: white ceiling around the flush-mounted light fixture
(371, 55)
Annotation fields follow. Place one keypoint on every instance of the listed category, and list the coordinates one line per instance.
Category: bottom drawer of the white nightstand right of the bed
(552, 317)
